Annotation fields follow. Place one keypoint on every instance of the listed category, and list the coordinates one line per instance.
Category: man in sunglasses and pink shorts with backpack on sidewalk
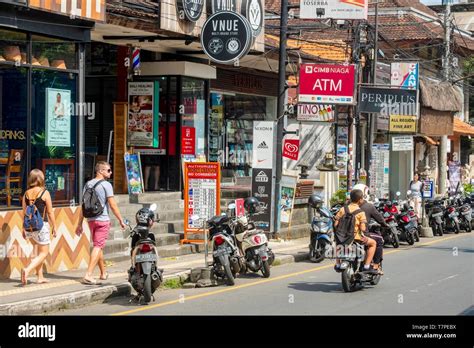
(99, 221)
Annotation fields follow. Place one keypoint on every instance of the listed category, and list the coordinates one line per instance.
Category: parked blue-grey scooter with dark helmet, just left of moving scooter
(322, 231)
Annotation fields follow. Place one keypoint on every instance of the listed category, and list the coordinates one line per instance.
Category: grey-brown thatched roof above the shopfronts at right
(441, 96)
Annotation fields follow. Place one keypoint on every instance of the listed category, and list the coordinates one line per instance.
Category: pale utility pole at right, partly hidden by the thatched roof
(443, 158)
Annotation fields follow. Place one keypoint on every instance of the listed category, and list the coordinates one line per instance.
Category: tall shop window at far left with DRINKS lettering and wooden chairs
(13, 135)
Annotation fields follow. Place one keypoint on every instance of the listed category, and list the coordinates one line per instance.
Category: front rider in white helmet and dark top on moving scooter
(372, 213)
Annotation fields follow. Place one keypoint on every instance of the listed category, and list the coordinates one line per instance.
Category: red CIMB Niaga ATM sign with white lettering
(327, 84)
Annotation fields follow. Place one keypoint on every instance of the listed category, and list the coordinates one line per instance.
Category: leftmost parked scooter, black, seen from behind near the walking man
(144, 276)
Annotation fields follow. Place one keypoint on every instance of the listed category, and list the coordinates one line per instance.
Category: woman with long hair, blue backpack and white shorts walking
(38, 219)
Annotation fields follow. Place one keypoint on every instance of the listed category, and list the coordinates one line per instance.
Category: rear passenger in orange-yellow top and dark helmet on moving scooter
(360, 227)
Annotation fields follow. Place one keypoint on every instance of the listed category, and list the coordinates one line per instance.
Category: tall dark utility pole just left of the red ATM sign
(280, 109)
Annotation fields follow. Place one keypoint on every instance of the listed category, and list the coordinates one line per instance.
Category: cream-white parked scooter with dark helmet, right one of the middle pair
(252, 242)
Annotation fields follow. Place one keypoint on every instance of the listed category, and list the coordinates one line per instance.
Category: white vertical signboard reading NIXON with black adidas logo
(263, 134)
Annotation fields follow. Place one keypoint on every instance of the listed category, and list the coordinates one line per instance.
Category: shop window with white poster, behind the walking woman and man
(53, 133)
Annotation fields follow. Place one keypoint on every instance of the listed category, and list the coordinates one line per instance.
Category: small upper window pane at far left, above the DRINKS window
(13, 46)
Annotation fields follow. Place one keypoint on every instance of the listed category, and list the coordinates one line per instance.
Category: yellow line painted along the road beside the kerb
(259, 282)
